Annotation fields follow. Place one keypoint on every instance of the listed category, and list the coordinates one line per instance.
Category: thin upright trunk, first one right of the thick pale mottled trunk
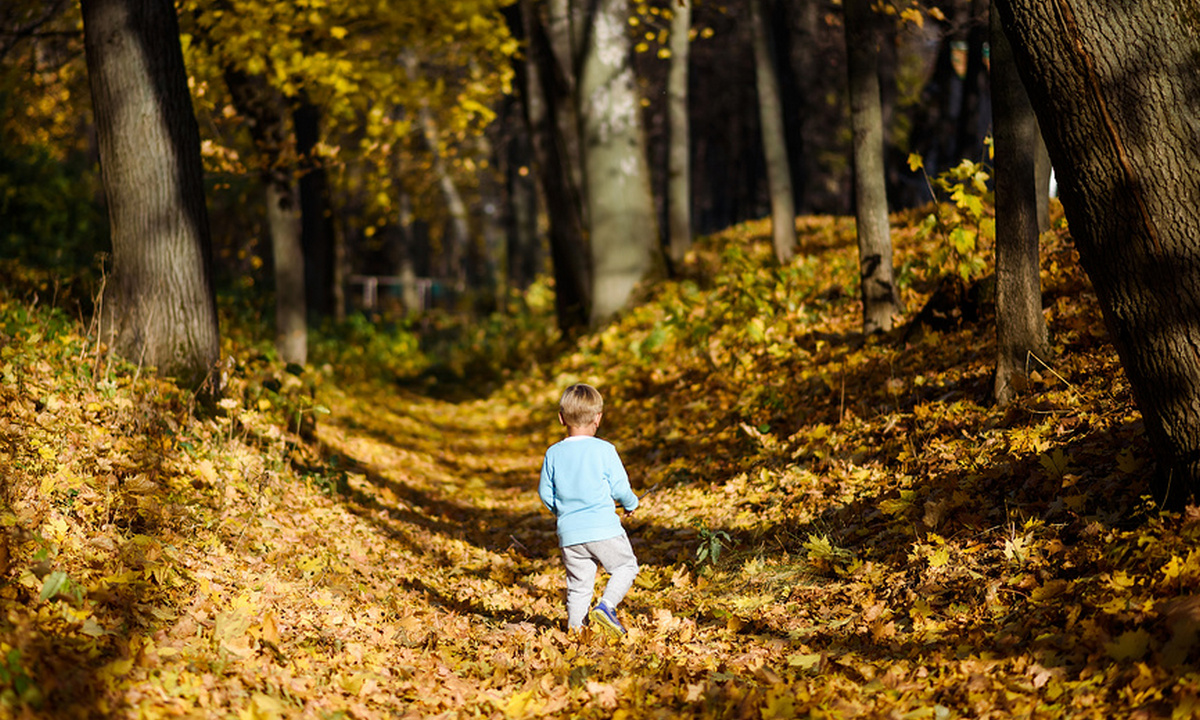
(680, 151)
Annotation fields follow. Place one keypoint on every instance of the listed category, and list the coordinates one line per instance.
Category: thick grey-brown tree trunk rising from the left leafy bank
(163, 311)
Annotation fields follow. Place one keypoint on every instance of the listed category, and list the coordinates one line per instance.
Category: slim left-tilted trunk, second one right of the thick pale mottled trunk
(775, 143)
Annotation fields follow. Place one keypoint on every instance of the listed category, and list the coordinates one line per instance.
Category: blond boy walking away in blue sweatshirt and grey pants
(581, 477)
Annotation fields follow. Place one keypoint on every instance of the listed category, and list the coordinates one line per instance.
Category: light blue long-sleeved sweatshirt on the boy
(581, 477)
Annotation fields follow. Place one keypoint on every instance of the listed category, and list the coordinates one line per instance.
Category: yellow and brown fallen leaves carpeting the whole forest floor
(833, 527)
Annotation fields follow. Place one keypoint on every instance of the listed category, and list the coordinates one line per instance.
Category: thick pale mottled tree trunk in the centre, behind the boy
(622, 225)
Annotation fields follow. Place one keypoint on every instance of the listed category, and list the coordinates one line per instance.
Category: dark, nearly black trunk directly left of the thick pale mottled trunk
(549, 106)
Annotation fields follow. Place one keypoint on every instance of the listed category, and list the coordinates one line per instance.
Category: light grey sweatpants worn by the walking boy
(616, 556)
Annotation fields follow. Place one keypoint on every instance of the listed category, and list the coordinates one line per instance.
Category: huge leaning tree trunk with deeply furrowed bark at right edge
(1115, 88)
